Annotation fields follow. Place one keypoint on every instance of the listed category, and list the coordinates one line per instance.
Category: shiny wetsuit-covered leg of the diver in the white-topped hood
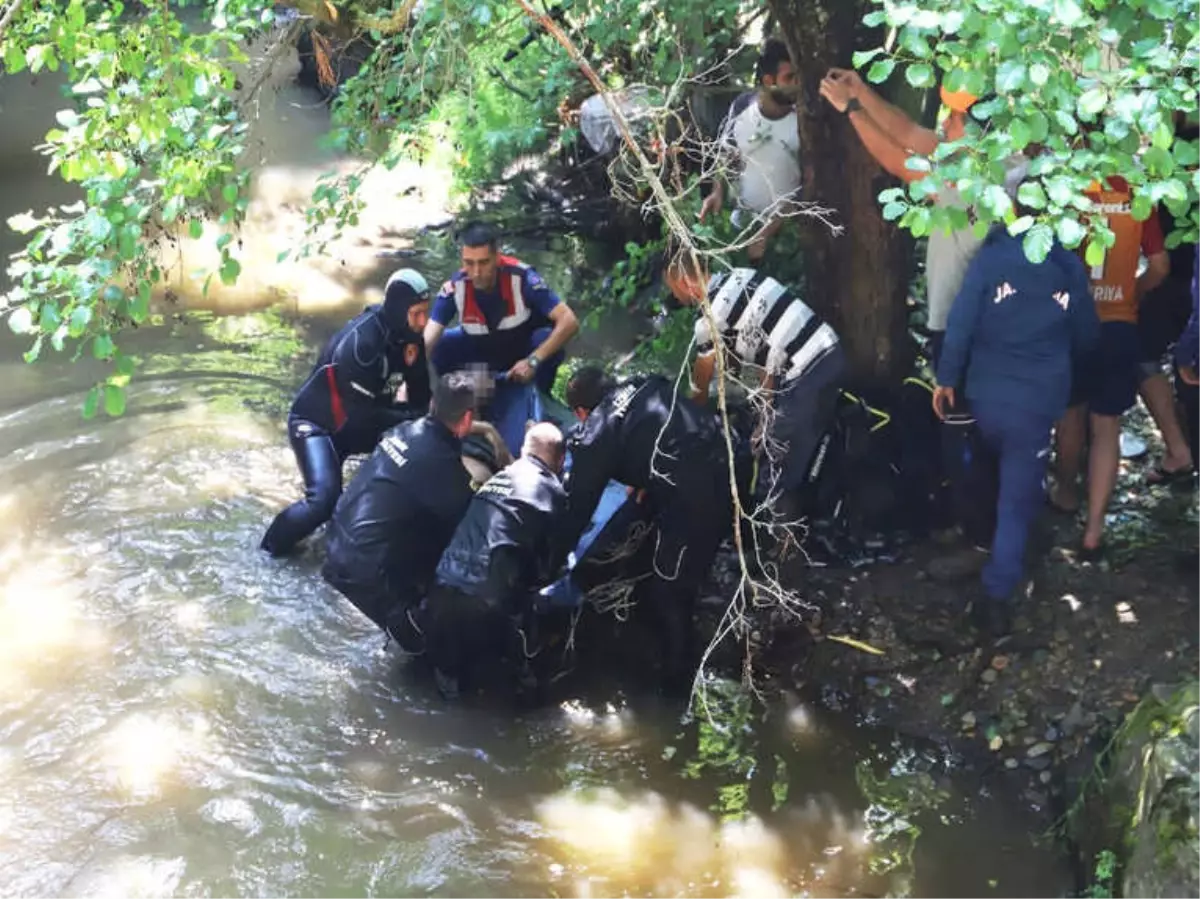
(321, 466)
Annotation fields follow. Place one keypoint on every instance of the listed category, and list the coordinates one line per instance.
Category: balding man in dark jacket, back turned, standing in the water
(506, 547)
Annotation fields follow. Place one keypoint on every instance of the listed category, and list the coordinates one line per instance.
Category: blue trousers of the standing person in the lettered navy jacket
(1019, 442)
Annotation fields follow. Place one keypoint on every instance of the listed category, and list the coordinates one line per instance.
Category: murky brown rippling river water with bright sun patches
(182, 717)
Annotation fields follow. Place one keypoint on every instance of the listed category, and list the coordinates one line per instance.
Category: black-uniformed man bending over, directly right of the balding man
(644, 435)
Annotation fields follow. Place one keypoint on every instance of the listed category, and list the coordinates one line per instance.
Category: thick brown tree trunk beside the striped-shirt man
(861, 279)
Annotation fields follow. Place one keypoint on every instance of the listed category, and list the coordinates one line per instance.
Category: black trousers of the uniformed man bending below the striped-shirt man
(693, 519)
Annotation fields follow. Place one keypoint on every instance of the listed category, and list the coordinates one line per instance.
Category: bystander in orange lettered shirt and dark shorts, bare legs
(1106, 386)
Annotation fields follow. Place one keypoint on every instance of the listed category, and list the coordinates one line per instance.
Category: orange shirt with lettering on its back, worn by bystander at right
(1114, 283)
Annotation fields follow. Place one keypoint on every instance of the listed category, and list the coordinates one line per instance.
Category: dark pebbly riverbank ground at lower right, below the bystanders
(1036, 709)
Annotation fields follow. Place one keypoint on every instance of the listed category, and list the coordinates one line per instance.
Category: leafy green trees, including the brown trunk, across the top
(158, 110)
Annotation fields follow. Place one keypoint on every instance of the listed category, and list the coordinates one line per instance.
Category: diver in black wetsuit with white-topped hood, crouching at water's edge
(345, 405)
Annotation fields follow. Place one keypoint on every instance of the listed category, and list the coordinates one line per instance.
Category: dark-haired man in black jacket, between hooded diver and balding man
(394, 522)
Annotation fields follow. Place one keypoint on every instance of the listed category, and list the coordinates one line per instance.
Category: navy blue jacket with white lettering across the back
(1017, 327)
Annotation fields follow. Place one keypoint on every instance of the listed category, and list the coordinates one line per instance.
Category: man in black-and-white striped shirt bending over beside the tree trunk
(794, 353)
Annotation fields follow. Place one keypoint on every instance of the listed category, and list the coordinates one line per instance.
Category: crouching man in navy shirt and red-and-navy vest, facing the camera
(509, 320)
